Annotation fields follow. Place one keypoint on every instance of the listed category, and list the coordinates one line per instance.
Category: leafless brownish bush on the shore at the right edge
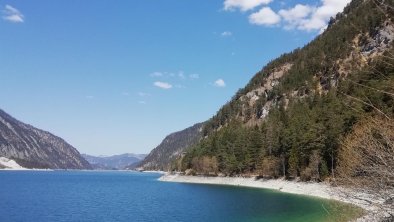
(366, 159)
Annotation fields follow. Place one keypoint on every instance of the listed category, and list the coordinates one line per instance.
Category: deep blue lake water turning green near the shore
(128, 196)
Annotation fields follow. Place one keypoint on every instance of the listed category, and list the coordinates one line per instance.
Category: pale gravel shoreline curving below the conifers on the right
(368, 203)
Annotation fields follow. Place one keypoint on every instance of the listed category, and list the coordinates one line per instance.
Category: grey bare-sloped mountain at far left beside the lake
(34, 148)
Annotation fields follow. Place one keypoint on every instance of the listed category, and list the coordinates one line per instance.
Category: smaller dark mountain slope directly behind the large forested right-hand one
(171, 148)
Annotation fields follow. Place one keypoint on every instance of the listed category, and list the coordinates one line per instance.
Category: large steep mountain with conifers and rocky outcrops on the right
(291, 118)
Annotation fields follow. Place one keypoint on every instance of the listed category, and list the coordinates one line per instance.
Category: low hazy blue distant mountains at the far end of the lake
(116, 162)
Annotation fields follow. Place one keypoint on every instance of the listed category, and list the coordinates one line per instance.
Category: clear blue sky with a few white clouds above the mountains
(118, 76)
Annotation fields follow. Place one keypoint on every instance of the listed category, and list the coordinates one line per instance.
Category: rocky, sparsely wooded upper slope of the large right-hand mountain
(356, 39)
